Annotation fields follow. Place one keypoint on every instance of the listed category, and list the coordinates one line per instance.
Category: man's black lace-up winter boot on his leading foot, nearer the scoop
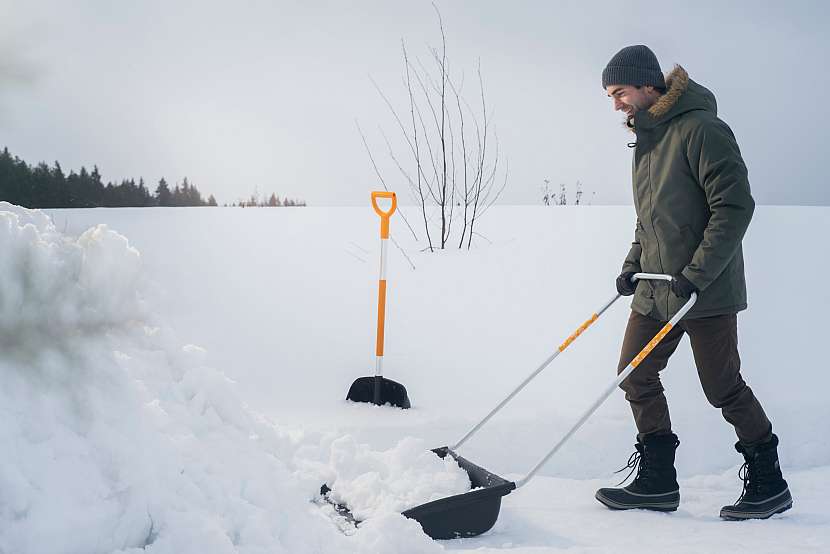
(655, 486)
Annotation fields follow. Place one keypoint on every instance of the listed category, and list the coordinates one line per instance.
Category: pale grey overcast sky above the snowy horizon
(265, 95)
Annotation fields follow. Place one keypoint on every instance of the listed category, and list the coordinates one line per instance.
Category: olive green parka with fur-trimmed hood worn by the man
(693, 203)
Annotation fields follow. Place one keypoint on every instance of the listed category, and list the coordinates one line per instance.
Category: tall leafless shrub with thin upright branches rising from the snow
(452, 161)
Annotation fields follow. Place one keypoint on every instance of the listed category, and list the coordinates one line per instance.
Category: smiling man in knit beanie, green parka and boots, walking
(693, 206)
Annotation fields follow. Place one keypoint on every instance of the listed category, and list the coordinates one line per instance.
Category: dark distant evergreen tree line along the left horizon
(42, 186)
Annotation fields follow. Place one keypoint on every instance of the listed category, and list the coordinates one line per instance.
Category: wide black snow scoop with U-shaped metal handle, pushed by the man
(472, 513)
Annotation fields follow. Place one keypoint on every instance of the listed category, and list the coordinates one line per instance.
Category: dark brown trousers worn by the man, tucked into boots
(715, 348)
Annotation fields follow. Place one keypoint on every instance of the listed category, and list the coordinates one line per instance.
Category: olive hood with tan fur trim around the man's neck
(683, 95)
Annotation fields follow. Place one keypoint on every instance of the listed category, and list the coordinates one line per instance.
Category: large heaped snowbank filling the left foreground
(117, 439)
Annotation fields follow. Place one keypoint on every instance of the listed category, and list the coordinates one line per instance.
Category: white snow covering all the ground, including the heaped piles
(183, 391)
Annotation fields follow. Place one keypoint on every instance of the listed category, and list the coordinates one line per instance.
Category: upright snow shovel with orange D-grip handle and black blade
(379, 390)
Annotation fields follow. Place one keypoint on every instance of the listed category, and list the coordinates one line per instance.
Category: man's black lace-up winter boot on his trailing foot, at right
(765, 491)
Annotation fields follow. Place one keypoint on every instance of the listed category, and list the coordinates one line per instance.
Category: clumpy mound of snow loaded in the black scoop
(371, 483)
